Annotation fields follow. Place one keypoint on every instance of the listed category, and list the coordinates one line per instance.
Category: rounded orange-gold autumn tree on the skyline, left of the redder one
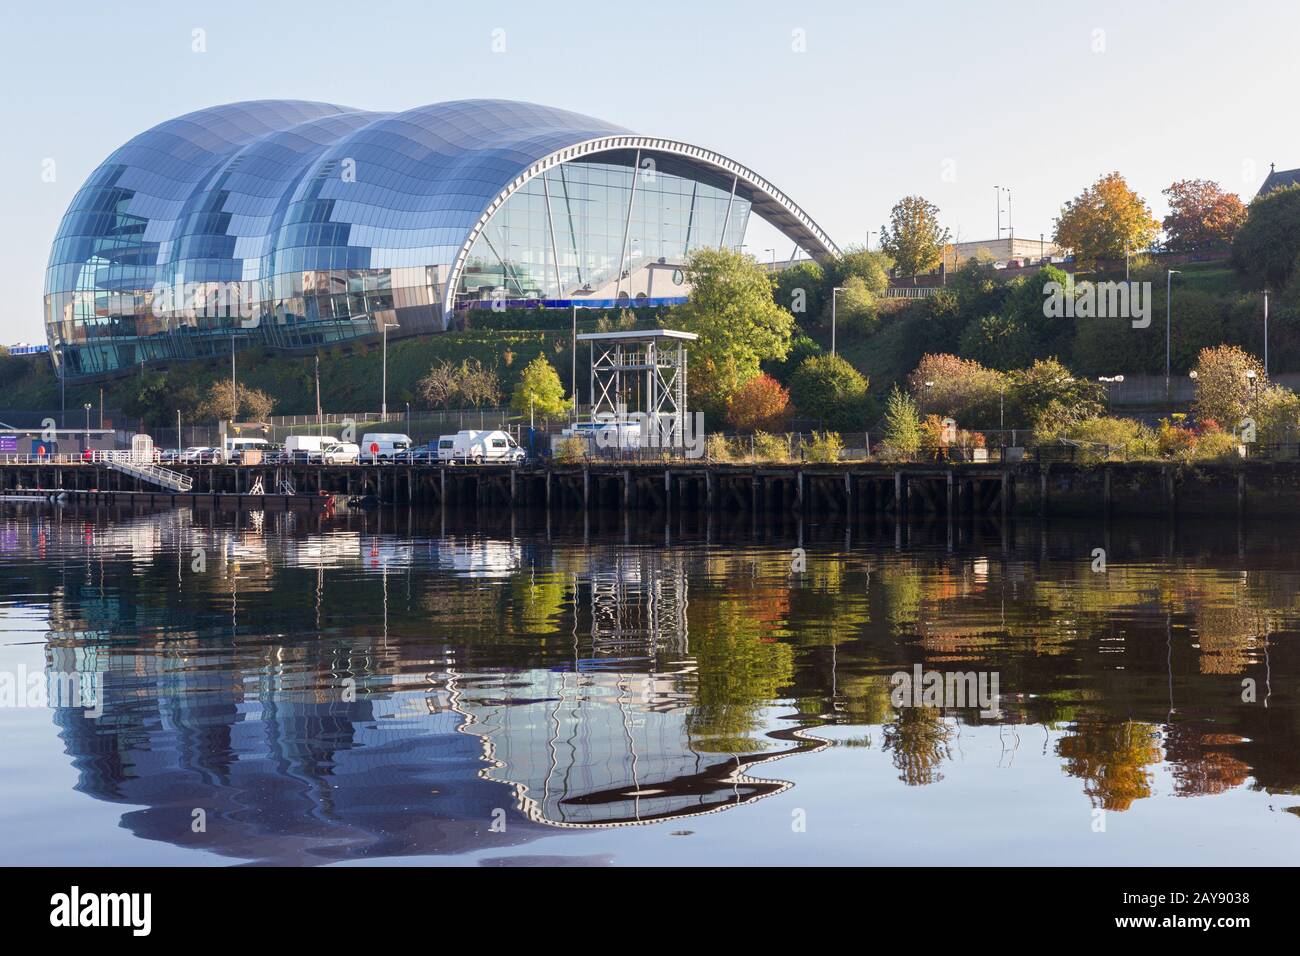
(1104, 222)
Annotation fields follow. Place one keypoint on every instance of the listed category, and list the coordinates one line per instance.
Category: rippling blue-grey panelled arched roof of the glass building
(252, 191)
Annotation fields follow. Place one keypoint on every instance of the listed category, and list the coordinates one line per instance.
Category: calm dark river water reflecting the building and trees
(401, 687)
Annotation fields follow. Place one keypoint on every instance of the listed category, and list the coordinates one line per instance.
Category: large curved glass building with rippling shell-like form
(293, 226)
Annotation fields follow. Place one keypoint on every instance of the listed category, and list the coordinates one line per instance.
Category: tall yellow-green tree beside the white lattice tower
(739, 325)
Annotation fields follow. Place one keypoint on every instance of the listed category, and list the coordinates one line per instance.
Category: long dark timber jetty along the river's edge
(839, 490)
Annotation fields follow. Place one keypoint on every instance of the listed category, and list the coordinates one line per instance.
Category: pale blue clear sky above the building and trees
(943, 100)
